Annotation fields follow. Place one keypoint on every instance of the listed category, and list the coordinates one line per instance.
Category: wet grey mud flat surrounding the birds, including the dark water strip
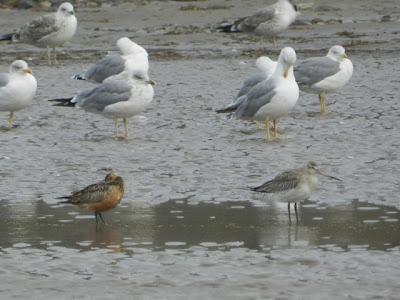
(188, 226)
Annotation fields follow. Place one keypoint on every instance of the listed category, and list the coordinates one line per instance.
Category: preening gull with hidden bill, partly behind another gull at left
(133, 56)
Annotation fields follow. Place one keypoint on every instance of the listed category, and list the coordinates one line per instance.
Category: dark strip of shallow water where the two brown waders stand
(179, 224)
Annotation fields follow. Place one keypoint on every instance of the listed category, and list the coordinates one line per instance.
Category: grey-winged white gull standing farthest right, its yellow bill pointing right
(322, 75)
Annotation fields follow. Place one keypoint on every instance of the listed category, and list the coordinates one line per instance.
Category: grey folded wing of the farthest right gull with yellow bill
(313, 70)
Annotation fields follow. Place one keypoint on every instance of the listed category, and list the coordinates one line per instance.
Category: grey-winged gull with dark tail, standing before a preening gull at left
(118, 97)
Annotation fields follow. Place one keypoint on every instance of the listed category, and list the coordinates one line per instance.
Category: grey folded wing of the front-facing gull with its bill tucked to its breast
(259, 96)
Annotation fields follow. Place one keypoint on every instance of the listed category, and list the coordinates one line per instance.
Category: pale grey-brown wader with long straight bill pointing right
(294, 185)
